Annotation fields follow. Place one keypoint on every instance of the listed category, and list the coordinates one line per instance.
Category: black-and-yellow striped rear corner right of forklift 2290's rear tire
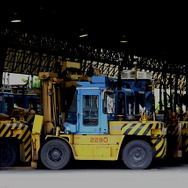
(160, 147)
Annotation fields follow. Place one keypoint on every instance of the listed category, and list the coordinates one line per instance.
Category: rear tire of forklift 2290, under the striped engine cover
(137, 154)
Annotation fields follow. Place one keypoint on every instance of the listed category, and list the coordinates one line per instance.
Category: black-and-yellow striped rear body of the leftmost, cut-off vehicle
(20, 131)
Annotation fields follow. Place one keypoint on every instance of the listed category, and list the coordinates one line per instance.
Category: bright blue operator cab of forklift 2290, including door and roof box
(89, 111)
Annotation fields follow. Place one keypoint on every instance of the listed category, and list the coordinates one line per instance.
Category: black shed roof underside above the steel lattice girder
(154, 31)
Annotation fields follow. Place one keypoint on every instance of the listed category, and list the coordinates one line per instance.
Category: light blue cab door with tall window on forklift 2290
(89, 111)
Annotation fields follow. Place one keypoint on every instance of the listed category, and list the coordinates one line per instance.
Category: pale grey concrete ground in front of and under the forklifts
(97, 174)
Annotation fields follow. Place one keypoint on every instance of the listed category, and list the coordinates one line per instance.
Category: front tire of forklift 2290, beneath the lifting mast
(56, 154)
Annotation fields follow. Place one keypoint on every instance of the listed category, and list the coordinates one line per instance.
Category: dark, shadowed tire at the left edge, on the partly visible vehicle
(8, 154)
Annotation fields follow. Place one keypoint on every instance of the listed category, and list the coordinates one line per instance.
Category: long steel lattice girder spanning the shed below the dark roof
(30, 54)
